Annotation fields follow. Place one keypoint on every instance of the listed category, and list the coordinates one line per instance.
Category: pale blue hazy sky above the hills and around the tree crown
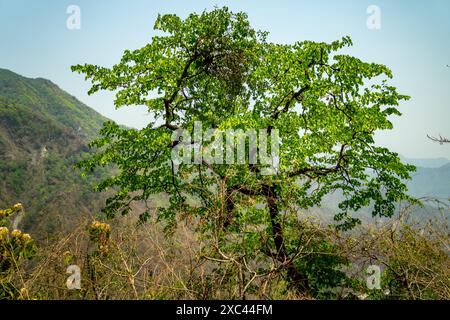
(413, 41)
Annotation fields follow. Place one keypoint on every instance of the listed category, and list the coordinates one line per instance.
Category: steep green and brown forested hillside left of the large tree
(43, 133)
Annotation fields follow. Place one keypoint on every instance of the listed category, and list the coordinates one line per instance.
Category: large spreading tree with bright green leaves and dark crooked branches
(214, 68)
